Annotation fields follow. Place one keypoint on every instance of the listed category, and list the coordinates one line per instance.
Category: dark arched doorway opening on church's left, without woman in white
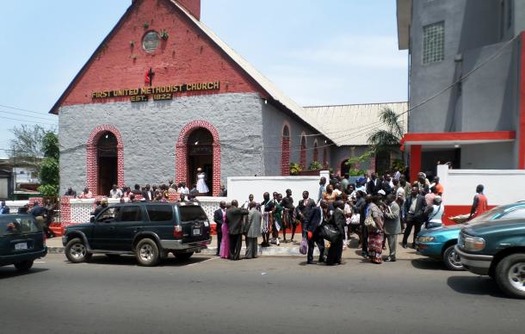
(107, 162)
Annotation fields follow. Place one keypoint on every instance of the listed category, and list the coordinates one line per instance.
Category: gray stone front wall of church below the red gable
(150, 131)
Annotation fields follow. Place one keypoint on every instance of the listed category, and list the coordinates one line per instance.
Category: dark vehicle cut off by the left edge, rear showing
(22, 241)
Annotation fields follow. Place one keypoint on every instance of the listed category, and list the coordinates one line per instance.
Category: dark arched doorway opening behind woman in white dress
(200, 155)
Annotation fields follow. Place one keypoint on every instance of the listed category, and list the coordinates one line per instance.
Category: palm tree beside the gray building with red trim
(386, 142)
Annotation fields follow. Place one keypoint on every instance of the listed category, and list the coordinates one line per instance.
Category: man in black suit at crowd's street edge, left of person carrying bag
(312, 227)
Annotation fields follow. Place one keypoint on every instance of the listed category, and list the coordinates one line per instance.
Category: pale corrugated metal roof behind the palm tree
(351, 125)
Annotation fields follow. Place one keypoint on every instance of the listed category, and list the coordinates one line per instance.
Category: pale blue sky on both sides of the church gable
(328, 52)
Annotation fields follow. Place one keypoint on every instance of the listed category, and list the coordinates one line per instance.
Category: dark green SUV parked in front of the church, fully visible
(148, 230)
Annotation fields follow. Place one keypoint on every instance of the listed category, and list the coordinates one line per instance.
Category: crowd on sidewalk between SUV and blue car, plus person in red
(375, 208)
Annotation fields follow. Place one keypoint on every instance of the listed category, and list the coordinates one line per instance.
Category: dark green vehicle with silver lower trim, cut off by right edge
(497, 249)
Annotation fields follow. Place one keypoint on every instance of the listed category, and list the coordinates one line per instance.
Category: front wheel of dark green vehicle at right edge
(510, 275)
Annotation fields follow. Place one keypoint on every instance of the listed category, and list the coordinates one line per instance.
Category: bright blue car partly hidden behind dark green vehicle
(439, 243)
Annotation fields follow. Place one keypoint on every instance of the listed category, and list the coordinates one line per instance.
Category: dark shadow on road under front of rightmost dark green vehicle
(475, 285)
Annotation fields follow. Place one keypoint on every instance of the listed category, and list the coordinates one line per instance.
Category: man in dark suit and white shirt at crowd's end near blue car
(415, 215)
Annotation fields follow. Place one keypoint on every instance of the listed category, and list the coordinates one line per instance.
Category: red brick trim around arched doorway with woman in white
(181, 154)
